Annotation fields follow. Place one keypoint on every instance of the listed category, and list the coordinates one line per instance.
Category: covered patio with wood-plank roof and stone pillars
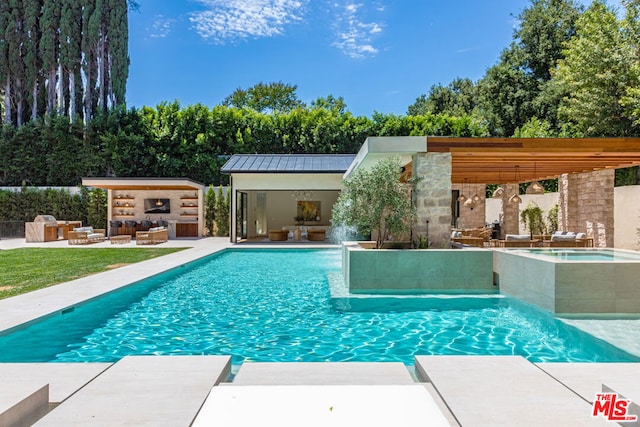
(585, 168)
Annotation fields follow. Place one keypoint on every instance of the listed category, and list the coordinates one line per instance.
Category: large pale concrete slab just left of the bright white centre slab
(143, 391)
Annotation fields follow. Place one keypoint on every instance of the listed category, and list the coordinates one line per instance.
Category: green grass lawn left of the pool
(25, 270)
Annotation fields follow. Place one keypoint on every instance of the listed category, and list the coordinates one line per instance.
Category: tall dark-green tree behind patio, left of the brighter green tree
(520, 87)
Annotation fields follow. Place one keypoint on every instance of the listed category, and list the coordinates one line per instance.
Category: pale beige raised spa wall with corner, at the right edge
(569, 288)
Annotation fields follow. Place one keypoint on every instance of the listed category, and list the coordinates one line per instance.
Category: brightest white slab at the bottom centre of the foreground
(320, 405)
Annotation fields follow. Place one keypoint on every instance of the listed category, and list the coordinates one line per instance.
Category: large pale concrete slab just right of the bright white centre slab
(503, 390)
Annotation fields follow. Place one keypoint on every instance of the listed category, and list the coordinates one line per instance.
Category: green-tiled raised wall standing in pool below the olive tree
(417, 271)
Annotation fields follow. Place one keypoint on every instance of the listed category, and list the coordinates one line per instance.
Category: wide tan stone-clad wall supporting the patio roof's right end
(587, 205)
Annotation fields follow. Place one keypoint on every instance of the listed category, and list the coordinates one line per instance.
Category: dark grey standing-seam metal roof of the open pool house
(288, 163)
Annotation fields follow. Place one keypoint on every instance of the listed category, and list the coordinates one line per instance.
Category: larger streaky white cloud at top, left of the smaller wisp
(229, 20)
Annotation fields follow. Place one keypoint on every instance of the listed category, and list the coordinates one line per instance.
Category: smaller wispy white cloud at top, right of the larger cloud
(354, 36)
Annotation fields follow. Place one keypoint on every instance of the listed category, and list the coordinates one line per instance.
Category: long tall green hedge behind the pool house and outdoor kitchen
(192, 142)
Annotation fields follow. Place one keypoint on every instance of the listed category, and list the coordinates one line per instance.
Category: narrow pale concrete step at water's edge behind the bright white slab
(323, 373)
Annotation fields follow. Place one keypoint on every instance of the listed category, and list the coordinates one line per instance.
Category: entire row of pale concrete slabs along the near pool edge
(197, 390)
